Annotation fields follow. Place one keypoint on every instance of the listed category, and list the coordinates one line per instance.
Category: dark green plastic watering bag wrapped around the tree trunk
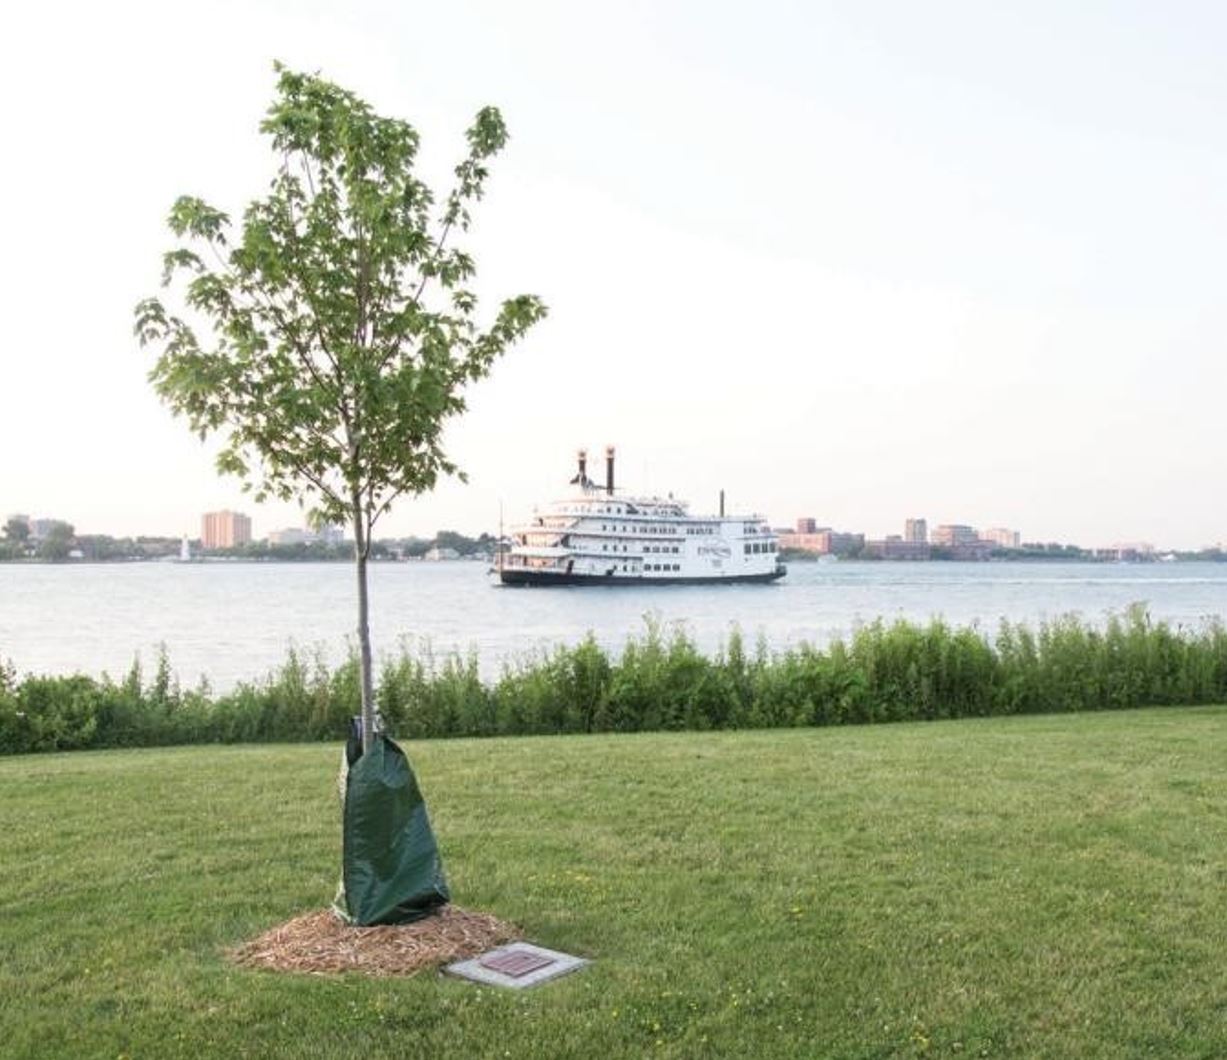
(391, 867)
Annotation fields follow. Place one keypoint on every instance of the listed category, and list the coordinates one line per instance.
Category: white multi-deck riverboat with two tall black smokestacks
(603, 537)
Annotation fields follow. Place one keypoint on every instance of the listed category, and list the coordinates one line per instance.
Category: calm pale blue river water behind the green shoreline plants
(235, 621)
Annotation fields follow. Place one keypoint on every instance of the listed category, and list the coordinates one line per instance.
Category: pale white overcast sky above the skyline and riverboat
(856, 261)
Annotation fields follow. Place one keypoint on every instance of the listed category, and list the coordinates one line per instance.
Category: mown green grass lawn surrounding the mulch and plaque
(1045, 886)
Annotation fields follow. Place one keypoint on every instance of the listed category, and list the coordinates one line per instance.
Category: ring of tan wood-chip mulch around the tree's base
(322, 944)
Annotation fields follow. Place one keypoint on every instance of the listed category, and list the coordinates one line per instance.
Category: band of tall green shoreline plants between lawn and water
(660, 682)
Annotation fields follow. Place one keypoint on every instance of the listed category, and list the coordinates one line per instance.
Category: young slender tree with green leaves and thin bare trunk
(342, 327)
